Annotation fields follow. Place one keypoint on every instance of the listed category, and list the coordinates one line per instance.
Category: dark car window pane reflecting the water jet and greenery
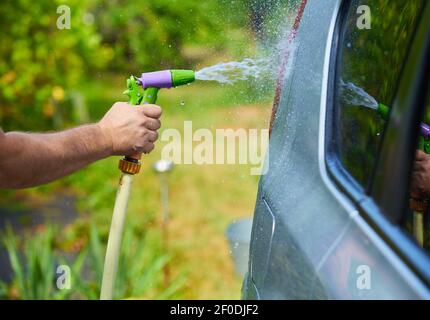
(367, 72)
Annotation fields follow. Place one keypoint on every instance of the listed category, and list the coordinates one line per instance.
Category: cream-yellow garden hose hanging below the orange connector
(115, 237)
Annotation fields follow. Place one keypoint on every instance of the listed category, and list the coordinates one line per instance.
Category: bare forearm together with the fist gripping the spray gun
(28, 159)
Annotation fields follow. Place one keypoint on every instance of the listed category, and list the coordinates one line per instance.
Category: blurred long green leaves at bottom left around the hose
(35, 259)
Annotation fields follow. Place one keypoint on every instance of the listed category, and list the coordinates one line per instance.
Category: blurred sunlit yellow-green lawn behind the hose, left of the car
(203, 199)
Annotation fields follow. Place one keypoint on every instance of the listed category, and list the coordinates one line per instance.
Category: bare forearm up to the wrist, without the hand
(31, 159)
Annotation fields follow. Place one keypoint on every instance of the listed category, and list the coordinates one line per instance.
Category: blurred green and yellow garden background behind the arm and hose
(52, 79)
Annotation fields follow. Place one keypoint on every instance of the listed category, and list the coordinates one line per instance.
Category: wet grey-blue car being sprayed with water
(332, 217)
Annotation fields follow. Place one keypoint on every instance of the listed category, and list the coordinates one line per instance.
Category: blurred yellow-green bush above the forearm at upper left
(38, 61)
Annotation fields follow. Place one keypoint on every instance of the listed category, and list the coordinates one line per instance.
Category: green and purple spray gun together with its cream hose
(143, 90)
